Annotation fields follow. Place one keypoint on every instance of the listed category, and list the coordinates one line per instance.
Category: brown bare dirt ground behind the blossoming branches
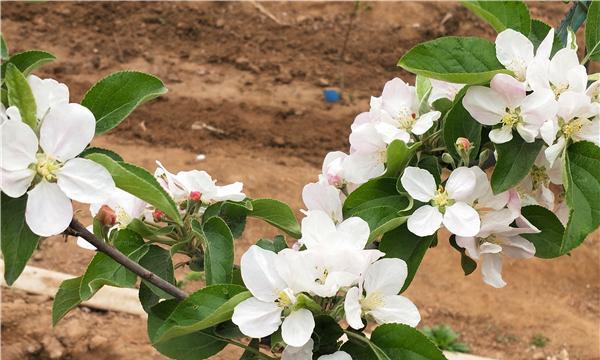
(245, 89)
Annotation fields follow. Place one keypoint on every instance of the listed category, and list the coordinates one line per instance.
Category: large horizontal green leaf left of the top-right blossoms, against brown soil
(465, 60)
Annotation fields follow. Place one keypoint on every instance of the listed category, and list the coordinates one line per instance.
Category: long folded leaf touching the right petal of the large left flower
(138, 182)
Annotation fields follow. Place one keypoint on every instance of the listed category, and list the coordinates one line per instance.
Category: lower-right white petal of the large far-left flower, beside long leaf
(85, 181)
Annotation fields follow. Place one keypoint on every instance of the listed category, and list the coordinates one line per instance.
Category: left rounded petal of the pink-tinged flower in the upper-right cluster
(484, 104)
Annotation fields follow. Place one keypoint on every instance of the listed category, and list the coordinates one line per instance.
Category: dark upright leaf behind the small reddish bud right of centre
(459, 123)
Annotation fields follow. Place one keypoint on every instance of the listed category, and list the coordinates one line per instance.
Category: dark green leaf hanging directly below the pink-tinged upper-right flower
(515, 159)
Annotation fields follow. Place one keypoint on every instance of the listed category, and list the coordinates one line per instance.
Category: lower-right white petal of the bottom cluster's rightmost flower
(397, 309)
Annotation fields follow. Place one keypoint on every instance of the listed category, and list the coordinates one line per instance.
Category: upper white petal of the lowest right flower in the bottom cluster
(386, 276)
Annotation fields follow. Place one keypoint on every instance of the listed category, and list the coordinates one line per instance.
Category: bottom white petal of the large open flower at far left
(49, 211)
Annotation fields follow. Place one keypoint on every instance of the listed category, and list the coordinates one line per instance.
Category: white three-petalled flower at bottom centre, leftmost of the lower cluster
(260, 315)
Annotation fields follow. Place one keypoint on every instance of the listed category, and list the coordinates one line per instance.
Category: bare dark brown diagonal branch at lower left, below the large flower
(79, 230)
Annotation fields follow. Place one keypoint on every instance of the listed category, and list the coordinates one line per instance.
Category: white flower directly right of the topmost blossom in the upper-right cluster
(562, 73)
